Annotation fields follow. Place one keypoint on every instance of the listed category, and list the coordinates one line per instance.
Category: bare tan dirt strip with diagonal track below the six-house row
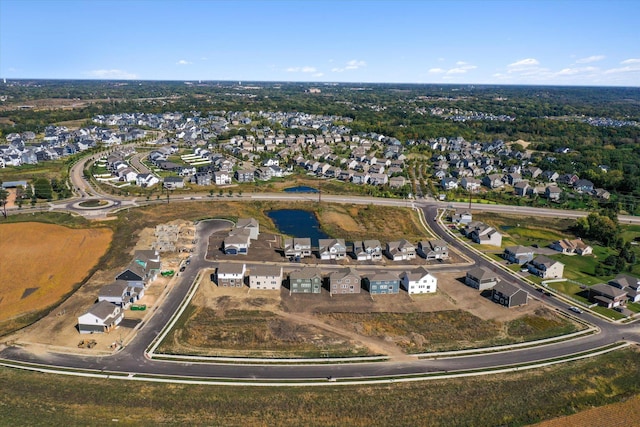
(307, 309)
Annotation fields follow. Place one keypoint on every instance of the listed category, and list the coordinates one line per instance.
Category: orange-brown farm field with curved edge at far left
(43, 262)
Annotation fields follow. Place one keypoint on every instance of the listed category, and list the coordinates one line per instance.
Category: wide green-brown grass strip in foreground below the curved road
(522, 398)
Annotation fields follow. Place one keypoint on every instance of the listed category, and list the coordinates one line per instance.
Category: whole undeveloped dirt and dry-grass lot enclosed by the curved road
(332, 323)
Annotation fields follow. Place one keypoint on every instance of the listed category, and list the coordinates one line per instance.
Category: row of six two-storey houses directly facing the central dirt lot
(310, 280)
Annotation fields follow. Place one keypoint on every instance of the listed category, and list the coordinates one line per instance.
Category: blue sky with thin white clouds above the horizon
(481, 42)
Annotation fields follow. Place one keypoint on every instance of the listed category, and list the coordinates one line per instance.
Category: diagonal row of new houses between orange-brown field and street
(127, 288)
